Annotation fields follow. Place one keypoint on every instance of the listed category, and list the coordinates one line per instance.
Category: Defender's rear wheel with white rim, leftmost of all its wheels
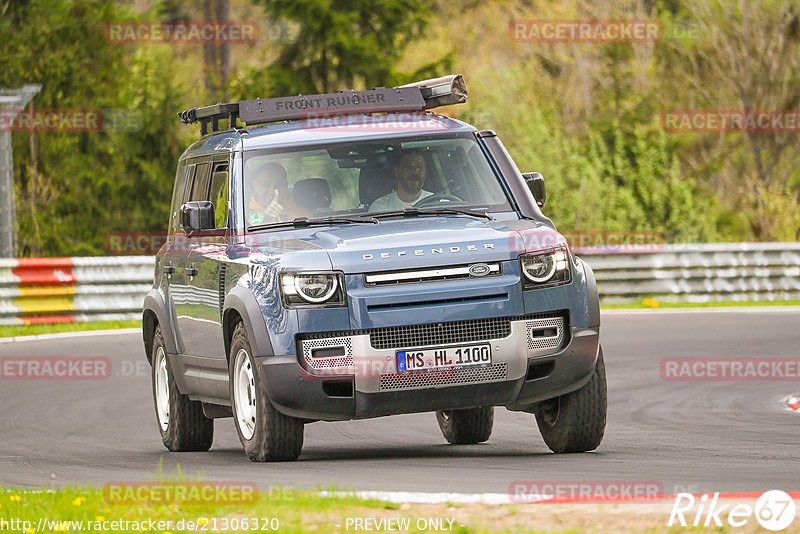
(181, 421)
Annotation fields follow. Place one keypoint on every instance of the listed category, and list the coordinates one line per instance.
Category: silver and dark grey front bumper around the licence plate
(353, 379)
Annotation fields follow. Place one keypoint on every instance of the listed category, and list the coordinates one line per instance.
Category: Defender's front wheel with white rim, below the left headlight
(266, 434)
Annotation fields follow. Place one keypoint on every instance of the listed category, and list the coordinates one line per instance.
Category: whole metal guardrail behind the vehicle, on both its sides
(42, 290)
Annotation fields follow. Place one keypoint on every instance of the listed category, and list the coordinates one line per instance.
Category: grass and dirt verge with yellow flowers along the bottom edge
(86, 509)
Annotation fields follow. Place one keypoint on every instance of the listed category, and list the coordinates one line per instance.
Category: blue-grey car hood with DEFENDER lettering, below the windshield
(404, 243)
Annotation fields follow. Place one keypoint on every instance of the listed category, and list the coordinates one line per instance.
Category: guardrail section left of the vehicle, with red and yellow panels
(57, 290)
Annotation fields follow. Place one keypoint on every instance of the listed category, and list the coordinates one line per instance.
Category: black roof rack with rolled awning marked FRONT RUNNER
(418, 96)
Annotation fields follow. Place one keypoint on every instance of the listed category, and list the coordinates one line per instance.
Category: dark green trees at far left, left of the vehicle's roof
(88, 182)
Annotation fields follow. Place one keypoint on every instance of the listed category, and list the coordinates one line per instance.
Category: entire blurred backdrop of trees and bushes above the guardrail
(586, 115)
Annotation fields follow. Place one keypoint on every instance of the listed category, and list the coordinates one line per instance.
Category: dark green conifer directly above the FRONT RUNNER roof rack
(341, 44)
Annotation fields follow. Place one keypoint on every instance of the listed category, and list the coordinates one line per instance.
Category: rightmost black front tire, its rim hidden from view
(576, 422)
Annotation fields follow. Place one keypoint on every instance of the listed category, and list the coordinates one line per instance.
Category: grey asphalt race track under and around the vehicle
(686, 435)
